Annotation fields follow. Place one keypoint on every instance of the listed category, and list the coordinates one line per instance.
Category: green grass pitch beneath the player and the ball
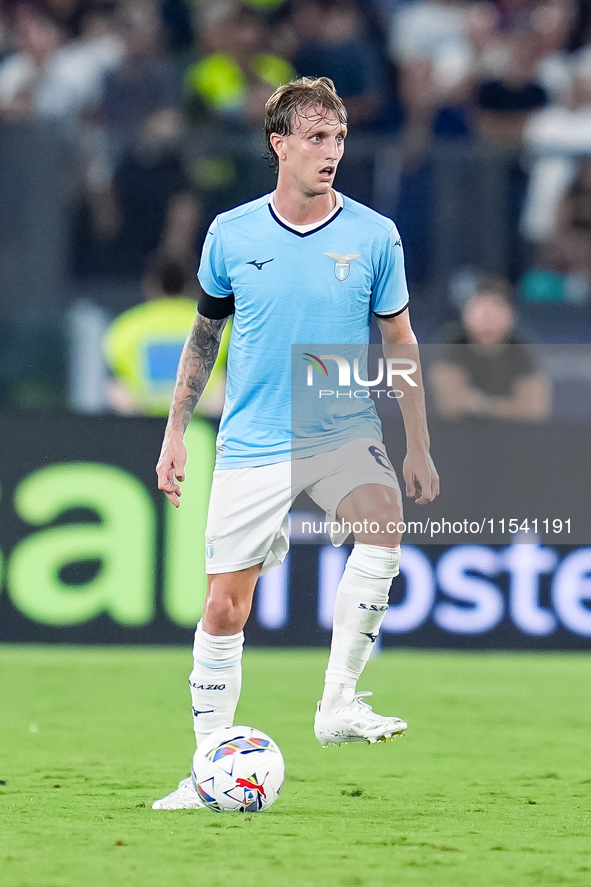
(490, 786)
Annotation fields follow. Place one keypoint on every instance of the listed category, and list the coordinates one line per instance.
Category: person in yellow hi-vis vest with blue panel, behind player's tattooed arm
(143, 346)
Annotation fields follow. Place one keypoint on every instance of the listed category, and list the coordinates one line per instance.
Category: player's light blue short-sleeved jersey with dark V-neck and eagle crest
(292, 289)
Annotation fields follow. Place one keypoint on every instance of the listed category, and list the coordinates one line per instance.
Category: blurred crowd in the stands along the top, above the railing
(480, 69)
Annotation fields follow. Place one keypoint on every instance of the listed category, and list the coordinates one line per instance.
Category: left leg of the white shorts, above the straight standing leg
(247, 518)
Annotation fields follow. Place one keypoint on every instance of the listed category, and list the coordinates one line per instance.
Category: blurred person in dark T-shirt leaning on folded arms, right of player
(484, 369)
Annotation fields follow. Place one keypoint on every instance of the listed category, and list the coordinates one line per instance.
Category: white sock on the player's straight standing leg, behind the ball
(215, 680)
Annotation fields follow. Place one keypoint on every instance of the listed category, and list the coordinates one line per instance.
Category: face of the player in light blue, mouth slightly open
(310, 155)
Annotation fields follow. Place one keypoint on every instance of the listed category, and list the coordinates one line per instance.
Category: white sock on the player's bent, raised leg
(360, 607)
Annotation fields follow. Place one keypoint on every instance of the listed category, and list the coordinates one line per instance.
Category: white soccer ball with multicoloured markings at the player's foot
(238, 769)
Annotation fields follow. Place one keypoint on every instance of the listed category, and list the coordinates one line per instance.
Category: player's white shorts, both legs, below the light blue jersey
(247, 522)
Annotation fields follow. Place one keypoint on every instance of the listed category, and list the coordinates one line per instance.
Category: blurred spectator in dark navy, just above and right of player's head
(334, 44)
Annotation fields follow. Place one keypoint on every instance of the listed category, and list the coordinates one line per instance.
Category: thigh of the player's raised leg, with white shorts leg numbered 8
(358, 485)
